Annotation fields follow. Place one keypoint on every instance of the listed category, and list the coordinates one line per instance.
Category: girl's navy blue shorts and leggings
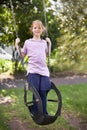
(42, 84)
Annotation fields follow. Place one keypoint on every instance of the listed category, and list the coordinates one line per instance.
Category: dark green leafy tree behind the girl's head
(25, 12)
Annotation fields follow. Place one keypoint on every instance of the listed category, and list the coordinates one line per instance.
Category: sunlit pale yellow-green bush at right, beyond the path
(71, 52)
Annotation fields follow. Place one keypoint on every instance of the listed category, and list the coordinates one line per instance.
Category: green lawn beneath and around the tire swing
(74, 98)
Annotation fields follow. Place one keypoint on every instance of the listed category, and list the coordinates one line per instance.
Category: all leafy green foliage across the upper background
(66, 23)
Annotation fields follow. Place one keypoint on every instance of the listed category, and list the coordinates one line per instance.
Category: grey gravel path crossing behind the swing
(9, 81)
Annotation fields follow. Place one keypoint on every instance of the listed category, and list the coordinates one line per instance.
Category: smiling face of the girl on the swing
(37, 29)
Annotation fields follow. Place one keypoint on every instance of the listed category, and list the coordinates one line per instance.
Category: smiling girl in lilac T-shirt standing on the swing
(37, 50)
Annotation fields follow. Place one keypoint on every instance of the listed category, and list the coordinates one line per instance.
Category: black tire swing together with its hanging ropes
(30, 90)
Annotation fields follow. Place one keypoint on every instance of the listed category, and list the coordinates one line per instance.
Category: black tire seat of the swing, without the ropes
(39, 118)
